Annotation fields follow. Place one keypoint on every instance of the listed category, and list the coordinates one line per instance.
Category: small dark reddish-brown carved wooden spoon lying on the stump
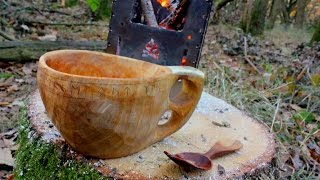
(203, 161)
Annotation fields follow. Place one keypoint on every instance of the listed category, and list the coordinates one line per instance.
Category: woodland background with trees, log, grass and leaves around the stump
(262, 56)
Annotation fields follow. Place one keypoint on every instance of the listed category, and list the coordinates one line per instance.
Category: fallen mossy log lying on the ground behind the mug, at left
(19, 51)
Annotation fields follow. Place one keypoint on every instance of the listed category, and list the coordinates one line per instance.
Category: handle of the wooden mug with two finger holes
(183, 102)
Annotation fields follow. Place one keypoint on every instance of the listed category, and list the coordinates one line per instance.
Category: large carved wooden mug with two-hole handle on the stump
(109, 106)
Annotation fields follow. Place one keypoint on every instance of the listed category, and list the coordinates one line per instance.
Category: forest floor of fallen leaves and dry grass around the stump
(275, 78)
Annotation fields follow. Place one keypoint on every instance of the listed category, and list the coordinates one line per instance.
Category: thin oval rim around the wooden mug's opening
(136, 80)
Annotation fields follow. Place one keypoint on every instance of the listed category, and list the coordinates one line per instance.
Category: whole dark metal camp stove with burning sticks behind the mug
(177, 41)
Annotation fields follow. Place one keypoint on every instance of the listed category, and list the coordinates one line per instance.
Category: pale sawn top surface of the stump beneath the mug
(197, 135)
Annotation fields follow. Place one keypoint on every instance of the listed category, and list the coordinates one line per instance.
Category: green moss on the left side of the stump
(36, 159)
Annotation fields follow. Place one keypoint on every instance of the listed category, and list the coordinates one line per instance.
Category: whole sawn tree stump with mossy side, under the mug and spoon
(253, 161)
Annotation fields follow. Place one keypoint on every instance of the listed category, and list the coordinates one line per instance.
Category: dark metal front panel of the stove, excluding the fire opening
(129, 39)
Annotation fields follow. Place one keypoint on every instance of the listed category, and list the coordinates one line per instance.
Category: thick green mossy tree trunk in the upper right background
(254, 20)
